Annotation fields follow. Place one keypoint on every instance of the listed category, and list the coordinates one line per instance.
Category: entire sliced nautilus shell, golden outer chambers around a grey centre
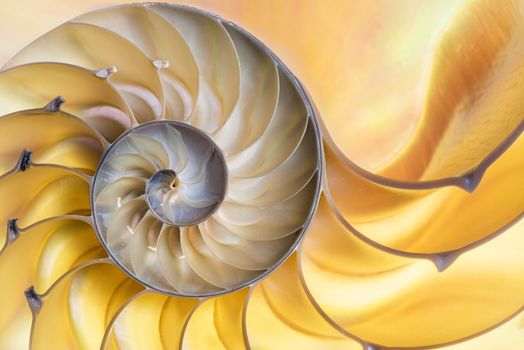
(169, 183)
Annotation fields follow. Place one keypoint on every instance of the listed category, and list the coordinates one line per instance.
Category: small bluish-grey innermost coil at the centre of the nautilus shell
(185, 173)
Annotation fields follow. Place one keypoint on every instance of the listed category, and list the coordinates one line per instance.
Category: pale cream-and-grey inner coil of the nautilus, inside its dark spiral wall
(215, 175)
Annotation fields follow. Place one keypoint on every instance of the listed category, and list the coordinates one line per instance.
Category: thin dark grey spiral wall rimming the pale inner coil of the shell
(312, 120)
